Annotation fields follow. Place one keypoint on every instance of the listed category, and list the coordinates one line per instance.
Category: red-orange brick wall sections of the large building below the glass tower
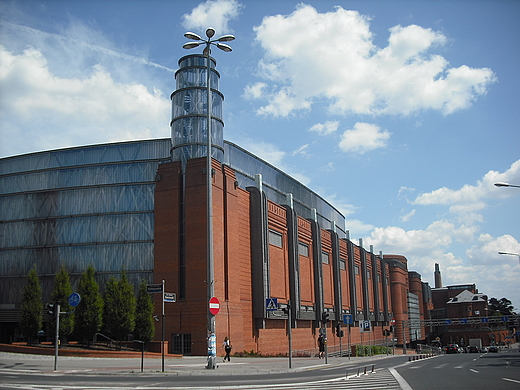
(232, 256)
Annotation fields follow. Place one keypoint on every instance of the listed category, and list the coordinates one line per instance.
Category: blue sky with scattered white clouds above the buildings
(402, 114)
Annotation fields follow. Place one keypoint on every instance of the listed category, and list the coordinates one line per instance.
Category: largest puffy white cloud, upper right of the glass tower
(355, 76)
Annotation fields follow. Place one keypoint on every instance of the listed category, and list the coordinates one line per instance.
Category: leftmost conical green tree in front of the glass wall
(32, 307)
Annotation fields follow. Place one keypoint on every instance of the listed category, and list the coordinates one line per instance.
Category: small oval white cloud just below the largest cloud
(363, 137)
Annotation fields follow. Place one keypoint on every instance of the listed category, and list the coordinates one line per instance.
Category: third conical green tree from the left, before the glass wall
(89, 312)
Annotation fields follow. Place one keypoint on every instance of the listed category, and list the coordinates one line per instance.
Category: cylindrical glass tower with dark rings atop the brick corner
(189, 110)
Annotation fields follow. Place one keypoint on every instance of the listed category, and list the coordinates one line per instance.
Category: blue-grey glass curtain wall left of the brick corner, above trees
(91, 205)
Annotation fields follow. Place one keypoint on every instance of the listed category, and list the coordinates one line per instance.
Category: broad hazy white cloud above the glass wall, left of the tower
(36, 103)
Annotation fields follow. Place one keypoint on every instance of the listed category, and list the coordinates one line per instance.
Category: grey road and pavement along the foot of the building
(458, 371)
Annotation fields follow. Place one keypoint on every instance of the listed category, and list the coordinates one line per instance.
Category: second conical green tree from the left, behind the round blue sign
(60, 295)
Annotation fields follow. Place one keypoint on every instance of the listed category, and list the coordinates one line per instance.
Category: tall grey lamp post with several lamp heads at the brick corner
(197, 41)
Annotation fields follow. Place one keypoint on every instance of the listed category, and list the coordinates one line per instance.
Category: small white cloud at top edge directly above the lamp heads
(212, 13)
